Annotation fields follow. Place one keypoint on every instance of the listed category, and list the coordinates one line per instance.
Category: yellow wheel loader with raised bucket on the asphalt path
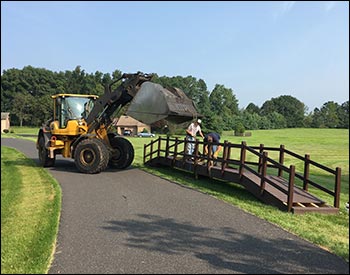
(80, 127)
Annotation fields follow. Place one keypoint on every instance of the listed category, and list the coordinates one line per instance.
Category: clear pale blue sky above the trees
(260, 50)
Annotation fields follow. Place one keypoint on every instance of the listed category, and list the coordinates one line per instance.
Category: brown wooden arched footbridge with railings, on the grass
(267, 178)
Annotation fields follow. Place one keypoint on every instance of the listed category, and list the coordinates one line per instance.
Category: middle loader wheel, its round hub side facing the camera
(91, 156)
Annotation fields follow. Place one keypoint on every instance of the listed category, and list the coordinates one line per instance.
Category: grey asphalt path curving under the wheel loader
(133, 222)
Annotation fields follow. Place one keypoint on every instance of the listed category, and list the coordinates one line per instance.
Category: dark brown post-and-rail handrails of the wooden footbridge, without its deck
(264, 162)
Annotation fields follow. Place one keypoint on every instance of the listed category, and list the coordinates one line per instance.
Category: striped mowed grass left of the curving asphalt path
(30, 207)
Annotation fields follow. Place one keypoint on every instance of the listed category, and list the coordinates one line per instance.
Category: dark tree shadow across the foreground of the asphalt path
(236, 251)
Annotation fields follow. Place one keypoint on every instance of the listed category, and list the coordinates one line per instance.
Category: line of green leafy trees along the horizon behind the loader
(26, 94)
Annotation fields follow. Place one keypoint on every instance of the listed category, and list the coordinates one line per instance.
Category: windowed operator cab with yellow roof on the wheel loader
(69, 107)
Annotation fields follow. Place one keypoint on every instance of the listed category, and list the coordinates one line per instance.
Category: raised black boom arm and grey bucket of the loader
(150, 102)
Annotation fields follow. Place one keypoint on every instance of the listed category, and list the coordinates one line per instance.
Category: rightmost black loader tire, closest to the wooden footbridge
(122, 152)
